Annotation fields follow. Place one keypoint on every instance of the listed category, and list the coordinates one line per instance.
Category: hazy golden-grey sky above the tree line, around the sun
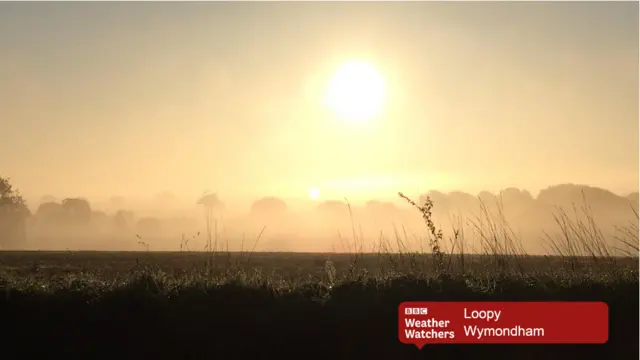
(107, 98)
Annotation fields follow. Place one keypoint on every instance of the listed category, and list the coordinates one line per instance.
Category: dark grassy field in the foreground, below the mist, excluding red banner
(195, 306)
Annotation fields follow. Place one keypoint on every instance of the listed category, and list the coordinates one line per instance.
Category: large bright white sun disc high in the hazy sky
(356, 92)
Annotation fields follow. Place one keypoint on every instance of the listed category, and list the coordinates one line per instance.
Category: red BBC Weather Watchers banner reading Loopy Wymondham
(422, 323)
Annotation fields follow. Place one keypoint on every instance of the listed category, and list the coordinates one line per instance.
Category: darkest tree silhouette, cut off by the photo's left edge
(13, 215)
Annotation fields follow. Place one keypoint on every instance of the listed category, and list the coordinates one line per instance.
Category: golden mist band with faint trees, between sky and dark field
(169, 223)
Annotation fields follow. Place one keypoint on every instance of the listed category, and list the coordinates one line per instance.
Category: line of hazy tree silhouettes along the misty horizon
(77, 214)
